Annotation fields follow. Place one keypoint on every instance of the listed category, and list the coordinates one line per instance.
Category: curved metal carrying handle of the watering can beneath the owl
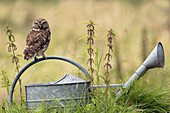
(39, 60)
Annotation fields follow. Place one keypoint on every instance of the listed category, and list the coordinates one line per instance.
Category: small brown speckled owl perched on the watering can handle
(37, 40)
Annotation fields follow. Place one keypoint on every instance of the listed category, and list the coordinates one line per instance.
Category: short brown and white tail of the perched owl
(28, 53)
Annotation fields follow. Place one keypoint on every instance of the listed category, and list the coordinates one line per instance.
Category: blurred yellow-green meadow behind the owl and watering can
(130, 20)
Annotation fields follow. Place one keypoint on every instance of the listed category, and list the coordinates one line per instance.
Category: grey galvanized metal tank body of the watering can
(69, 89)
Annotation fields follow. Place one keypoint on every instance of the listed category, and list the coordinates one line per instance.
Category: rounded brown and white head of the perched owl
(40, 24)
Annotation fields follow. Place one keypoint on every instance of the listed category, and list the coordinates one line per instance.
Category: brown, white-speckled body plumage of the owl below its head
(36, 43)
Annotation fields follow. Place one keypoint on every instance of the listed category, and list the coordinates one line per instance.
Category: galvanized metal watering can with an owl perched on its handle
(71, 88)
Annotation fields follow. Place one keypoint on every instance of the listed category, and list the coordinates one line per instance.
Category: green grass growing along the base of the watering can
(145, 97)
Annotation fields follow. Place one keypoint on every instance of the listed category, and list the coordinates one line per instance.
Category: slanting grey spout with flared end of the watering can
(156, 59)
